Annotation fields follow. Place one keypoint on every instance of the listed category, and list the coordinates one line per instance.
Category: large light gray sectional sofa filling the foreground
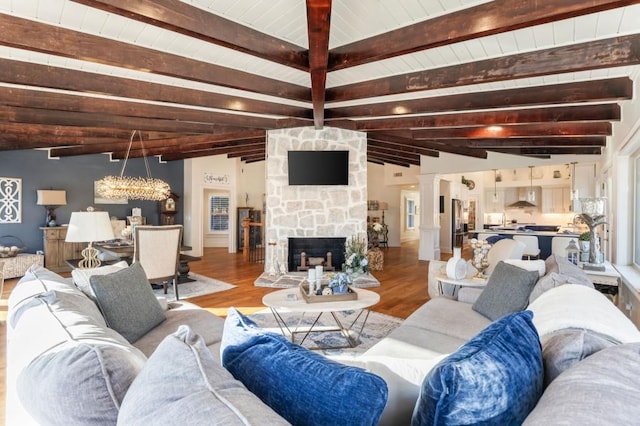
(56, 331)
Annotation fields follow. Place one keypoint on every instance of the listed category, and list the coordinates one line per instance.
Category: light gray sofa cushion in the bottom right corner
(603, 389)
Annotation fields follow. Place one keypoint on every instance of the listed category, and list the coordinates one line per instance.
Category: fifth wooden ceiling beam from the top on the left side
(12, 114)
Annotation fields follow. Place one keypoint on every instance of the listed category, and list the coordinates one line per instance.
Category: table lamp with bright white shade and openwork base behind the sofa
(87, 227)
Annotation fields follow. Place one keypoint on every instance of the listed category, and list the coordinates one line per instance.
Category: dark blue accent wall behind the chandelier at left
(77, 175)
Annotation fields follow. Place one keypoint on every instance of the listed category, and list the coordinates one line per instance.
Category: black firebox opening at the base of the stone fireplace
(315, 248)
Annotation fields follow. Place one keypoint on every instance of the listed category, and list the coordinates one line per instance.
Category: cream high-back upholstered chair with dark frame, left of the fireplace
(157, 248)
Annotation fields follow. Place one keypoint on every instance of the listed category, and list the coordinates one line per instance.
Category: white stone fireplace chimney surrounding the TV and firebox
(313, 211)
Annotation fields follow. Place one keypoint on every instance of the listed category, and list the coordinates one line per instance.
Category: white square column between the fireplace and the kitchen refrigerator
(429, 217)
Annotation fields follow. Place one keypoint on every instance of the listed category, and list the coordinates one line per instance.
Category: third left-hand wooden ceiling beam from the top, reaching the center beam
(45, 76)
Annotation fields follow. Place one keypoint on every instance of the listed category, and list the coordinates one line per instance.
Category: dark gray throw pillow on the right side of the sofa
(507, 291)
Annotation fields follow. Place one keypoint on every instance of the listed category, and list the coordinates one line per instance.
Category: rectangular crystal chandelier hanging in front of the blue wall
(133, 188)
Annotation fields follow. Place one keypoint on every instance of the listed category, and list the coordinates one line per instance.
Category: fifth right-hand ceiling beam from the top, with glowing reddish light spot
(597, 128)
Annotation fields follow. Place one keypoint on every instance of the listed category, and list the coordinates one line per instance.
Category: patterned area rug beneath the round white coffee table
(377, 327)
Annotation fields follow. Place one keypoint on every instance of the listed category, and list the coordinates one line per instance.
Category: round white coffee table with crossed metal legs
(290, 300)
